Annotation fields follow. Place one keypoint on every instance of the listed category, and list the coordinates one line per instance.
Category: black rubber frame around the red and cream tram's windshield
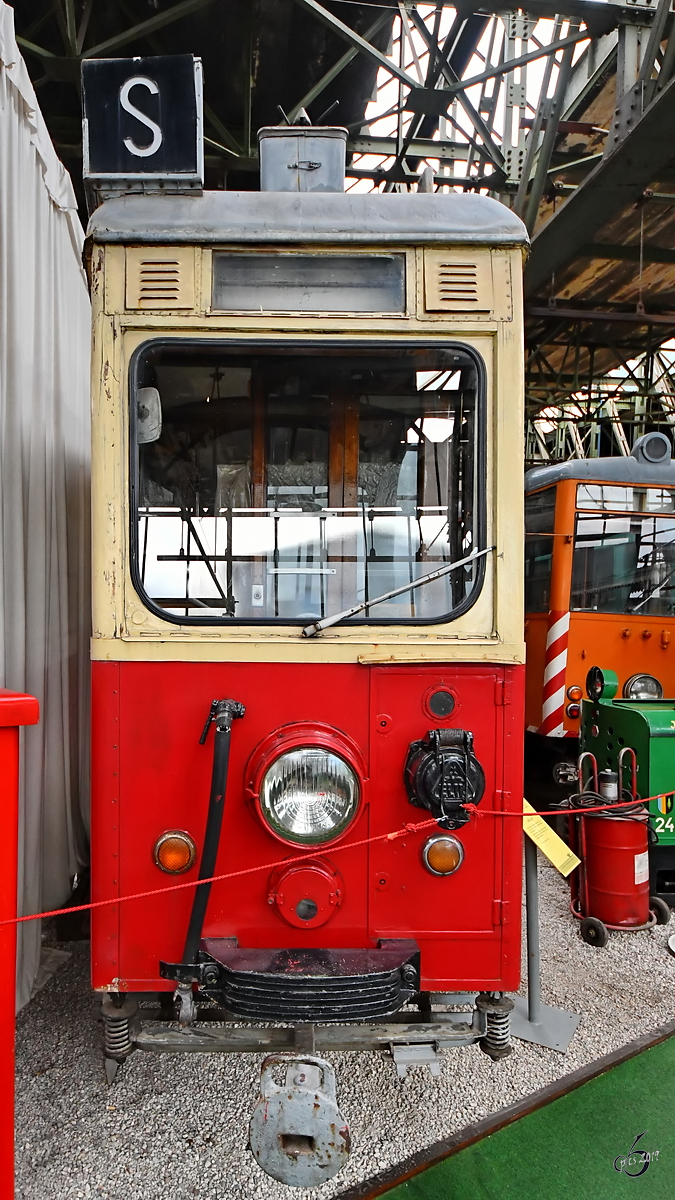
(351, 345)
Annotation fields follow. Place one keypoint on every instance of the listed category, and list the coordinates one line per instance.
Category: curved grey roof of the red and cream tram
(307, 218)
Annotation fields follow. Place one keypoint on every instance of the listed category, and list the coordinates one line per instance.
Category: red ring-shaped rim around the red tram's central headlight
(310, 736)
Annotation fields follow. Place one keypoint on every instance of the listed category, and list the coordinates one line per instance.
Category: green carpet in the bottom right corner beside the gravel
(566, 1150)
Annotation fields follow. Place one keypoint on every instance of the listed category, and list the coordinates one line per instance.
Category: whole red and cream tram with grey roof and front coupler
(308, 669)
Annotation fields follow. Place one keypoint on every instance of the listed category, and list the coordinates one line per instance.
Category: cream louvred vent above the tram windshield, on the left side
(160, 279)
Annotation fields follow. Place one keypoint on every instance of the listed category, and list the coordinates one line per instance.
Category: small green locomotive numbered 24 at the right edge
(610, 730)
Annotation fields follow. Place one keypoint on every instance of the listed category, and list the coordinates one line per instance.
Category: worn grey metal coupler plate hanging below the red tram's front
(298, 1135)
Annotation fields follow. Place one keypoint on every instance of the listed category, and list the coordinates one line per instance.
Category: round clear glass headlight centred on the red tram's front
(309, 796)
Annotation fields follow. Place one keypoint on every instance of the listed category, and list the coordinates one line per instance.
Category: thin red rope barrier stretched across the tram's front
(473, 809)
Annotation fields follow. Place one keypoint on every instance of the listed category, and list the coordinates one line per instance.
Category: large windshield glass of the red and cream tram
(286, 487)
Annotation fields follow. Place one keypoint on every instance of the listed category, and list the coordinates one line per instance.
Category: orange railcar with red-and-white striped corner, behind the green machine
(600, 589)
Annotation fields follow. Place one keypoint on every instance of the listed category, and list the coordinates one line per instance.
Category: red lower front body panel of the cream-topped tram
(151, 776)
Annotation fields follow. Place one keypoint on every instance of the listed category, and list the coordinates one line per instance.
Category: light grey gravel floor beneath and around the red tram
(180, 1124)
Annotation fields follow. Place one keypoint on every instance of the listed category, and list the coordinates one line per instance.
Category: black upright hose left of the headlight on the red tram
(224, 713)
